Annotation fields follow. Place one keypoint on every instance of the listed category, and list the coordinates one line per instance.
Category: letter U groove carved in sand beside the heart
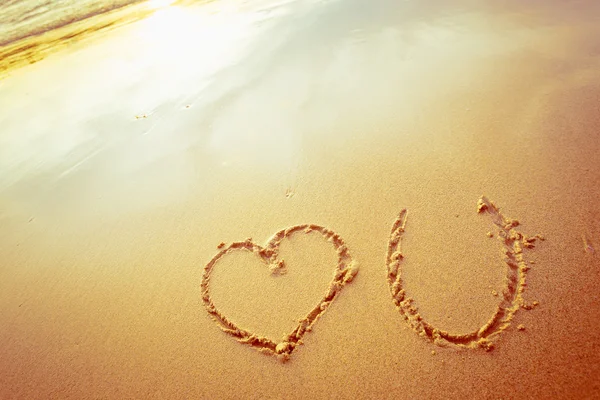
(513, 241)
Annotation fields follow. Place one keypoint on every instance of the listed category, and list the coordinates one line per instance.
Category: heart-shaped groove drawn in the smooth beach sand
(344, 272)
